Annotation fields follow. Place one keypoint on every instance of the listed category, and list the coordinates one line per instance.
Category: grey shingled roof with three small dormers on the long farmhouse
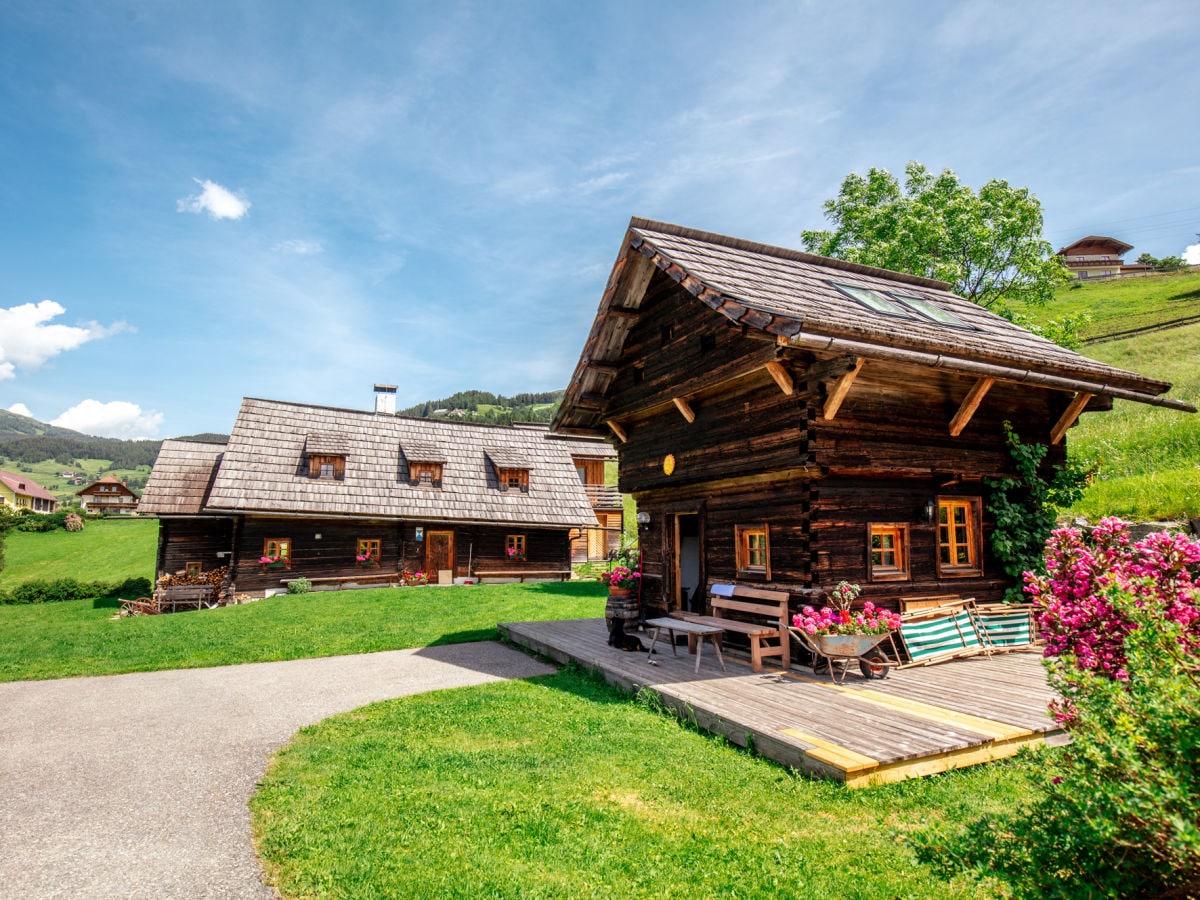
(263, 470)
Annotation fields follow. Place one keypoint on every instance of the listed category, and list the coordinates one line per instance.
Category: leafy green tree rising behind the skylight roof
(988, 245)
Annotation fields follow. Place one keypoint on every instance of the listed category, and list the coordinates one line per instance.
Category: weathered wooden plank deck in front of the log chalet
(917, 722)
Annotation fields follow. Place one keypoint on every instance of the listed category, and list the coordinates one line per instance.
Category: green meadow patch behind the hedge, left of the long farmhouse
(106, 550)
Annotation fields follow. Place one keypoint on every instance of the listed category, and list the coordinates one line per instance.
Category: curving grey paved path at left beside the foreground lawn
(136, 785)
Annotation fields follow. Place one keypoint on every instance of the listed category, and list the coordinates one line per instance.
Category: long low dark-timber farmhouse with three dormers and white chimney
(344, 496)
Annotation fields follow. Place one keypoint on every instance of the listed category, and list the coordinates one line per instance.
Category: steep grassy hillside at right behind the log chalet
(1148, 460)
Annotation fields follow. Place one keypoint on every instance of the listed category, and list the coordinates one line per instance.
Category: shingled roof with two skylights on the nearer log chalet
(793, 297)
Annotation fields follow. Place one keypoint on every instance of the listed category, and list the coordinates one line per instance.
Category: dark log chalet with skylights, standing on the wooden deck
(791, 421)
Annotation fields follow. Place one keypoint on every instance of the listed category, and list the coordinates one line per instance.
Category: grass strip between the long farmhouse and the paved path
(83, 639)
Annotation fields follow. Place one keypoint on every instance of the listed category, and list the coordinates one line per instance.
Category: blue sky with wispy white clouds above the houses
(295, 201)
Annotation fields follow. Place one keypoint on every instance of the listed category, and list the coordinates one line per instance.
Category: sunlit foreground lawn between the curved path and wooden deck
(562, 787)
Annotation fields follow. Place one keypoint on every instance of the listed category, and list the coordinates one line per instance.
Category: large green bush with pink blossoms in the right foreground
(1119, 815)
